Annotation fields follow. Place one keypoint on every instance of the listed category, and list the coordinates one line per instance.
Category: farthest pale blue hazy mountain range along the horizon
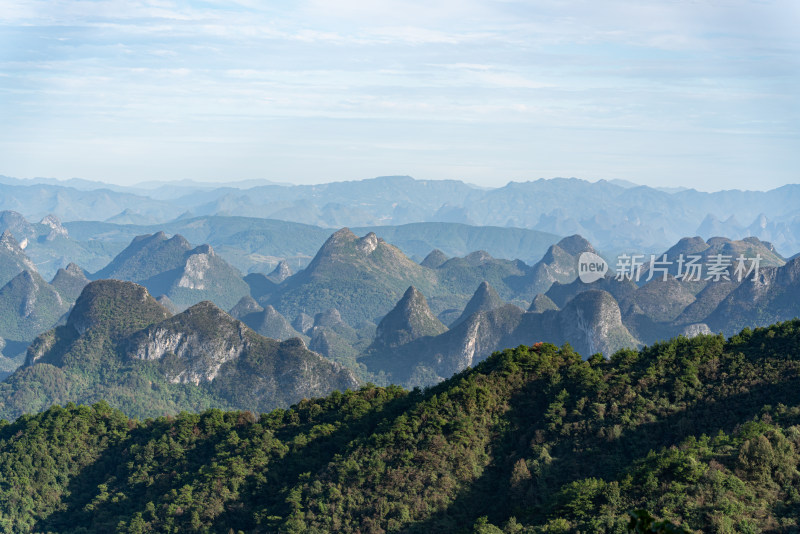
(614, 216)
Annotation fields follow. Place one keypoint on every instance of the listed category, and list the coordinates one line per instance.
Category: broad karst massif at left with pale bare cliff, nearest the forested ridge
(118, 327)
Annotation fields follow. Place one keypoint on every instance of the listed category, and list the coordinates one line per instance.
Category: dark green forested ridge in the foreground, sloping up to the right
(704, 432)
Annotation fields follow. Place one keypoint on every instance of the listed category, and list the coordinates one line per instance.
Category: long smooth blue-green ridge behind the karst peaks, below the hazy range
(253, 244)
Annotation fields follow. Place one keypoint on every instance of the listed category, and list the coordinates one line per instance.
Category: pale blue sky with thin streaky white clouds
(694, 93)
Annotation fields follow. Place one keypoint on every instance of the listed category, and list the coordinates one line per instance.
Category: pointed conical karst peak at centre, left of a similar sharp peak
(410, 319)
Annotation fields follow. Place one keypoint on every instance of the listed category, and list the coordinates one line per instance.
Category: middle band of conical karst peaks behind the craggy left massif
(363, 303)
